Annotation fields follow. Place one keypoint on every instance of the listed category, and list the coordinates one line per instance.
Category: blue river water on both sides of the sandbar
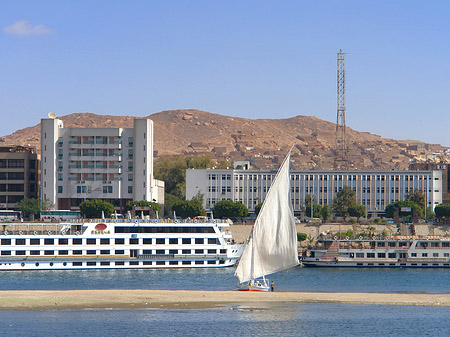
(231, 320)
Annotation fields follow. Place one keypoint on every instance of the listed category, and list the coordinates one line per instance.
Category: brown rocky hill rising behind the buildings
(262, 141)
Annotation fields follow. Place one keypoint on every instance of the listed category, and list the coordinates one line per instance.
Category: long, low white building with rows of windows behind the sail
(374, 189)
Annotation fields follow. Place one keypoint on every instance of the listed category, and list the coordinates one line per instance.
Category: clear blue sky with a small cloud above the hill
(253, 59)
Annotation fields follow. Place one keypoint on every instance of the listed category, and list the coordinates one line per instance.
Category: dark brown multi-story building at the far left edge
(19, 170)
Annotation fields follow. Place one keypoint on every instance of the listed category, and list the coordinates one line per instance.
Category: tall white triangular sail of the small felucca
(272, 245)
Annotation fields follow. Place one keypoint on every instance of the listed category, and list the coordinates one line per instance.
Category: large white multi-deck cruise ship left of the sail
(117, 244)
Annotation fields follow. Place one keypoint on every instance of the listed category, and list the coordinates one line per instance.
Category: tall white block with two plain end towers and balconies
(114, 164)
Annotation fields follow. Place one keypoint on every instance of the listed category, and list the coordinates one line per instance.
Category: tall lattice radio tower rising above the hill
(341, 161)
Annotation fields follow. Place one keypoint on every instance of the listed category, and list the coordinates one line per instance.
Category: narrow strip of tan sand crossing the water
(183, 299)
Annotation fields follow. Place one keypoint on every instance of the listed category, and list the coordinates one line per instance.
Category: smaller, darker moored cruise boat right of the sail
(379, 251)
